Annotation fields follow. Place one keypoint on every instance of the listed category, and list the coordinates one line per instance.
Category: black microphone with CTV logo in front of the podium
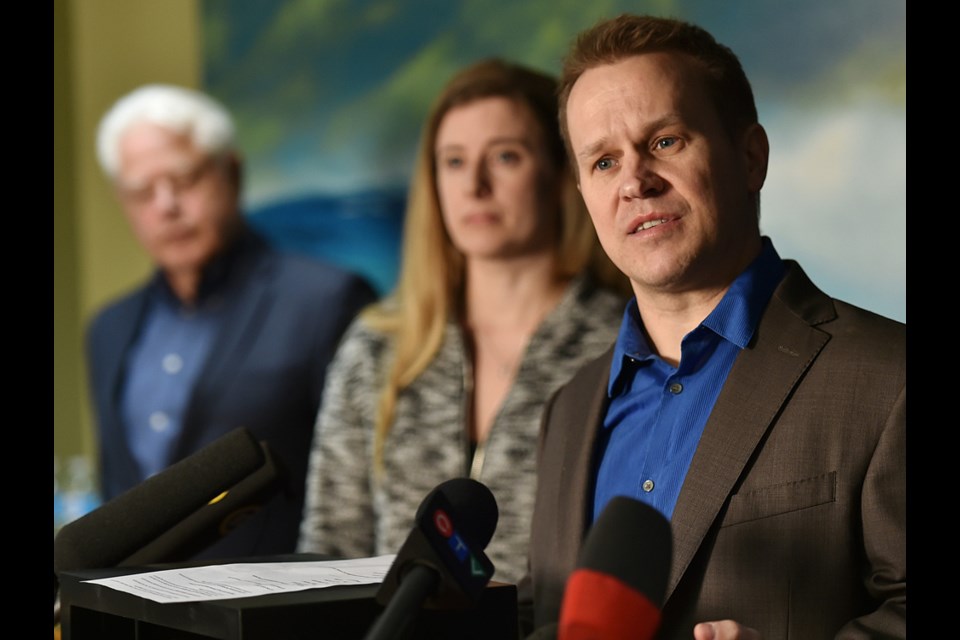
(441, 565)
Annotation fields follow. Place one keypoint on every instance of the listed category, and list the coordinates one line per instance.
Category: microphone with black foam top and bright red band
(617, 588)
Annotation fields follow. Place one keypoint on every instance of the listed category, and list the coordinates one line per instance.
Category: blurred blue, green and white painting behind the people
(329, 98)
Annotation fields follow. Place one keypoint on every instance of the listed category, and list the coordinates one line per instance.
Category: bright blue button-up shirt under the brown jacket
(657, 412)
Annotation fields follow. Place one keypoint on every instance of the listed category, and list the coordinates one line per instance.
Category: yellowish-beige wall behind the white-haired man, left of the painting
(102, 49)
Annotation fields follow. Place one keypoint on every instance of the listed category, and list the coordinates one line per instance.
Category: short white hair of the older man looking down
(184, 111)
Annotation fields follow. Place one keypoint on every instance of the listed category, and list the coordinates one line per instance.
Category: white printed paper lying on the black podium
(242, 580)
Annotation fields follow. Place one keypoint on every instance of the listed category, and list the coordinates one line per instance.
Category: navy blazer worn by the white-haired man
(265, 372)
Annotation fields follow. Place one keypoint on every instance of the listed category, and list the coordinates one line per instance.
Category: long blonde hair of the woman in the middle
(430, 284)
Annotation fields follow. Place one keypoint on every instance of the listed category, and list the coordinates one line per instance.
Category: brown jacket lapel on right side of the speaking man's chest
(761, 380)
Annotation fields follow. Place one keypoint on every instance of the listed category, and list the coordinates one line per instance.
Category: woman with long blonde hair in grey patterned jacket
(503, 293)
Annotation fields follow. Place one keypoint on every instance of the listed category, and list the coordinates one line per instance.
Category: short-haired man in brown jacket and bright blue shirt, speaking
(763, 418)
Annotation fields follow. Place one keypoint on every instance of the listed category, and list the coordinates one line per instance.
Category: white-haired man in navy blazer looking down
(227, 333)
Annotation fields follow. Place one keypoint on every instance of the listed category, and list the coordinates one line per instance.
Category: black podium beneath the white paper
(95, 612)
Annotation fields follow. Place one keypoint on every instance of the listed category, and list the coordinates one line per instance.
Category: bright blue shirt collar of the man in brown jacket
(735, 318)
